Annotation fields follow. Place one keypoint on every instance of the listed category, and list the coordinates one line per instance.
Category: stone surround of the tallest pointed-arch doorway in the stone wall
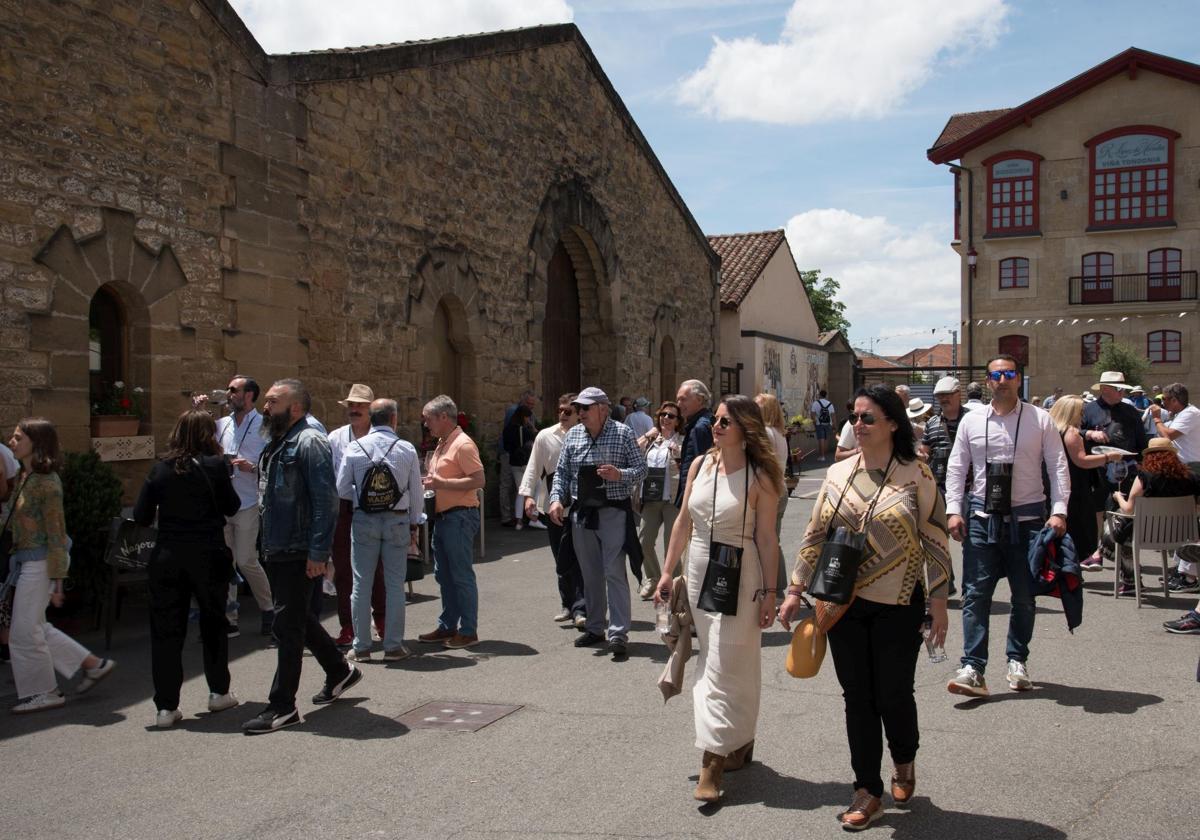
(572, 217)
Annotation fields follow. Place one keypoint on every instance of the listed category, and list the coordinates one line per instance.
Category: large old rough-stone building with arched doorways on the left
(475, 215)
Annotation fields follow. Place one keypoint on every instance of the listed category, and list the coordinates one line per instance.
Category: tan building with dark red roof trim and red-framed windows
(1078, 223)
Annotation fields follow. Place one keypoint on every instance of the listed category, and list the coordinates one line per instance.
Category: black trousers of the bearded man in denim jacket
(297, 628)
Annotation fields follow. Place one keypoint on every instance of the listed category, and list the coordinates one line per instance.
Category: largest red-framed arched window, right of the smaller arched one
(1131, 181)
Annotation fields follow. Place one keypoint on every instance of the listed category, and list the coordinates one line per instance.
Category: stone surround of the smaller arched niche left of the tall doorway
(446, 280)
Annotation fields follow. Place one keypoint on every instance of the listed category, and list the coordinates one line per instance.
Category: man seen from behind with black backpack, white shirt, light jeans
(381, 538)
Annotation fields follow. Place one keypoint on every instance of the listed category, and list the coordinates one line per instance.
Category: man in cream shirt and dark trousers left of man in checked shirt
(536, 485)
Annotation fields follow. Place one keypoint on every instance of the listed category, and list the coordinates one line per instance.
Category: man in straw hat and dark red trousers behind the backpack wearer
(358, 424)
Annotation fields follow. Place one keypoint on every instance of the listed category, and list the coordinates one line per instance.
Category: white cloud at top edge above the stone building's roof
(298, 26)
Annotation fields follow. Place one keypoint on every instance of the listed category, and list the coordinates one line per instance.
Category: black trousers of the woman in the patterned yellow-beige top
(874, 651)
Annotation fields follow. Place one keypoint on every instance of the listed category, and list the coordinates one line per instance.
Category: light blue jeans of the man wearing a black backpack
(375, 539)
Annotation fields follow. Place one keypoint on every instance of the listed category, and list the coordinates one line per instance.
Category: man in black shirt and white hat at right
(1113, 422)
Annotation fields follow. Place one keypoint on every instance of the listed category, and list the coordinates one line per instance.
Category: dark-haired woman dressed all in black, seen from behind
(191, 493)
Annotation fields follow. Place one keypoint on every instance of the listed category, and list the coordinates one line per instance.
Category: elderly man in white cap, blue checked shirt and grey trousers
(598, 469)
